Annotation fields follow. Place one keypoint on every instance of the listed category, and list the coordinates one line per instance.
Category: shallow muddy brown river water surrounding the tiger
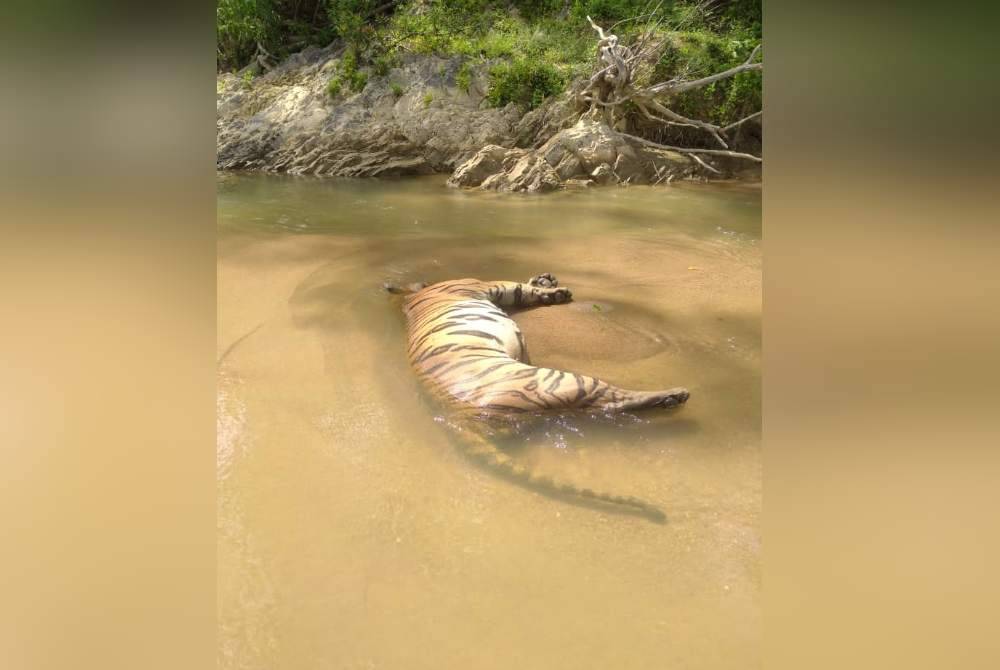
(353, 534)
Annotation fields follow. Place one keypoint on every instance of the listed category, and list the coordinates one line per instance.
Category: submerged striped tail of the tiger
(479, 448)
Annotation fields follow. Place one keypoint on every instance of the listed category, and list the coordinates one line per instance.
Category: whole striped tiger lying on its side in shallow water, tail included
(472, 358)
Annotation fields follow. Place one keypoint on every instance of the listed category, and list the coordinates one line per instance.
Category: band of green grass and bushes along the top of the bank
(532, 49)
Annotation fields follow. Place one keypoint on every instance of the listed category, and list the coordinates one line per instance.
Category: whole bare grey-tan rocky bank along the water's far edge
(416, 119)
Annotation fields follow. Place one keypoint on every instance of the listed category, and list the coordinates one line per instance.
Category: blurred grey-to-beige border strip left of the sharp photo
(107, 347)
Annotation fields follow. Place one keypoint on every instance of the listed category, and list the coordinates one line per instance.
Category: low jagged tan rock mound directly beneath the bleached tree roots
(589, 152)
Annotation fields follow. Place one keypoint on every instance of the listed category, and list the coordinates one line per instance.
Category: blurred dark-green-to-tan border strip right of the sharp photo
(880, 338)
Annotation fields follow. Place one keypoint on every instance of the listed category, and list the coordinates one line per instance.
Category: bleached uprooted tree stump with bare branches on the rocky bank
(614, 83)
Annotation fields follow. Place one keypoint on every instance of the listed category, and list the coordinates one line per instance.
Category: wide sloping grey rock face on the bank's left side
(413, 120)
